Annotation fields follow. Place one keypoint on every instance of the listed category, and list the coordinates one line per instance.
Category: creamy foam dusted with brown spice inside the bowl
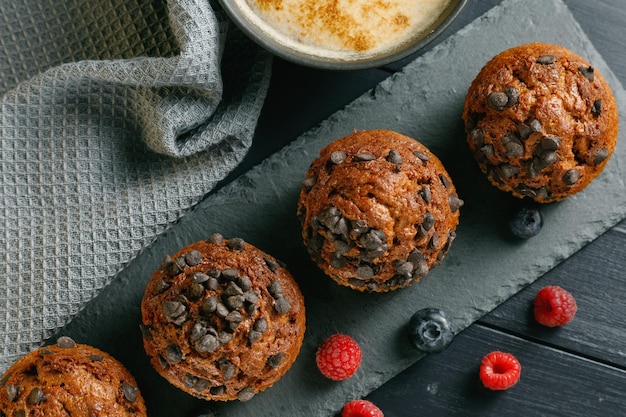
(340, 28)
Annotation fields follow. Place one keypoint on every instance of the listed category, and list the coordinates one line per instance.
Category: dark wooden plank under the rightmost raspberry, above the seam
(596, 276)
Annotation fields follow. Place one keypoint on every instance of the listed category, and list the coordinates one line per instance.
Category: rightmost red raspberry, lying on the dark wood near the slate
(554, 306)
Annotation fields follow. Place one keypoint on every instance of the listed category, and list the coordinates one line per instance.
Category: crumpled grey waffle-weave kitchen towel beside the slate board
(116, 116)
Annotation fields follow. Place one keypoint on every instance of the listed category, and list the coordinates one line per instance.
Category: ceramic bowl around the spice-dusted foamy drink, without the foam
(296, 51)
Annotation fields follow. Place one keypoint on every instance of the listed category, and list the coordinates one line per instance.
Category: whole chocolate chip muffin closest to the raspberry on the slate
(222, 320)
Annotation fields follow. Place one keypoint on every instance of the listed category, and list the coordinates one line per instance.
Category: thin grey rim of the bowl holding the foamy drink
(251, 30)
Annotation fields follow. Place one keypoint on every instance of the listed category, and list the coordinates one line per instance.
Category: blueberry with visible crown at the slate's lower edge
(430, 331)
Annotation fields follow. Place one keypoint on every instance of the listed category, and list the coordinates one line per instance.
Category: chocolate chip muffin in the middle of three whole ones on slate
(378, 210)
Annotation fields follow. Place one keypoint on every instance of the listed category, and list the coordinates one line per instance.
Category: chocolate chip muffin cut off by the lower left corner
(69, 379)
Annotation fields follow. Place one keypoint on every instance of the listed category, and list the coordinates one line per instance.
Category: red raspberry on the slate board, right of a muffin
(338, 357)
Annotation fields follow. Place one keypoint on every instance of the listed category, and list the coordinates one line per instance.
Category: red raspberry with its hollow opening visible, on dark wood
(499, 370)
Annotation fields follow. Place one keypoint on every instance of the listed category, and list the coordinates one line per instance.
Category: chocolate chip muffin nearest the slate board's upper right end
(541, 122)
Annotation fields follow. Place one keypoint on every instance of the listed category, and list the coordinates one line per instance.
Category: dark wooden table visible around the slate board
(578, 370)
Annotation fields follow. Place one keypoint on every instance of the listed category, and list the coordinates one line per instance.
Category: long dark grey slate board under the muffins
(484, 267)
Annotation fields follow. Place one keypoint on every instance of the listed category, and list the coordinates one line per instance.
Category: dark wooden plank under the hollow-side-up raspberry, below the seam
(553, 382)
